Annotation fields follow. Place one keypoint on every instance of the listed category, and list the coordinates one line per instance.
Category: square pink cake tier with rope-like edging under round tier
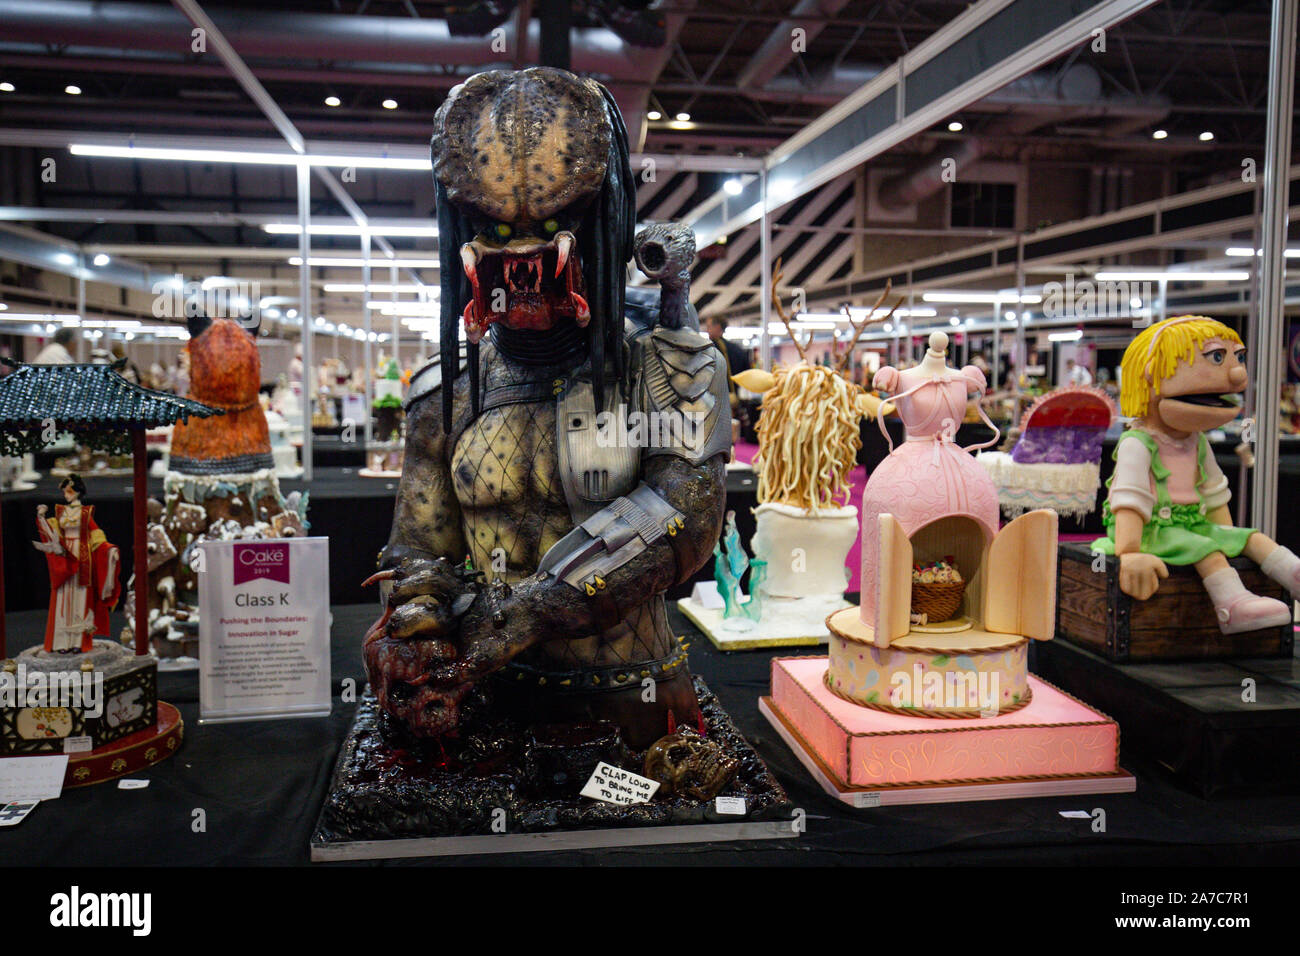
(1054, 737)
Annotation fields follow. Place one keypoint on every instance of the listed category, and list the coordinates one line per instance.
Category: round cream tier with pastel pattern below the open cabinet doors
(970, 673)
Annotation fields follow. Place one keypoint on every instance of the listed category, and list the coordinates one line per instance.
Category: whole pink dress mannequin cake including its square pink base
(950, 608)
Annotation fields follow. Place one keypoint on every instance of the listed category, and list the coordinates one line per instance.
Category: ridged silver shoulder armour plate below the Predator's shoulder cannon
(686, 383)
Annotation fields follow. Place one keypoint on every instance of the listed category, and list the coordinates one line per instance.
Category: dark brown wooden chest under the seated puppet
(1176, 624)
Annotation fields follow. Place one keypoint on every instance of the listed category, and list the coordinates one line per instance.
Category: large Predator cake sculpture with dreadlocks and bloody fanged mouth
(539, 521)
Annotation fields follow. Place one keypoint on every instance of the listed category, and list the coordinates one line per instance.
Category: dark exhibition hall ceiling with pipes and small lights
(1172, 100)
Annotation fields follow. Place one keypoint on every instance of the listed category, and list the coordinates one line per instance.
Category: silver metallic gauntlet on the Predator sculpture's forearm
(610, 539)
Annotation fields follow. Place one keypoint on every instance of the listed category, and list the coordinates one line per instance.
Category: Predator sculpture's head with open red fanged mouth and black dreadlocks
(536, 218)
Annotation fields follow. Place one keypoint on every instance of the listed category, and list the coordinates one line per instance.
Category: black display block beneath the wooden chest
(1195, 719)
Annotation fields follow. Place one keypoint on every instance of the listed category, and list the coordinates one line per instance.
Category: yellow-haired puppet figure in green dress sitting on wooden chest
(1169, 499)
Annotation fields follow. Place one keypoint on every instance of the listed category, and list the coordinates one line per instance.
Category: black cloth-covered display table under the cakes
(262, 785)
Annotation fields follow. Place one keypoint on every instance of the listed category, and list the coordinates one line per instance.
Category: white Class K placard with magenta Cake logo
(265, 630)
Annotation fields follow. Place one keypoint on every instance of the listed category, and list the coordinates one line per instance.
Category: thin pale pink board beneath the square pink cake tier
(1121, 782)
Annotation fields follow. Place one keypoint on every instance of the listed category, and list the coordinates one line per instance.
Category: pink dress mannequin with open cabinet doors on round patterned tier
(930, 501)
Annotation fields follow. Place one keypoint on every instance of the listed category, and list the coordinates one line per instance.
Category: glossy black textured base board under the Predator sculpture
(382, 806)
